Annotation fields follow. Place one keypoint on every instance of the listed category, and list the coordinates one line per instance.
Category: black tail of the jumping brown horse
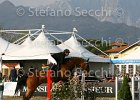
(21, 82)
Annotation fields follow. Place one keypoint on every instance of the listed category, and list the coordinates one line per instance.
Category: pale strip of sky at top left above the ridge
(32, 3)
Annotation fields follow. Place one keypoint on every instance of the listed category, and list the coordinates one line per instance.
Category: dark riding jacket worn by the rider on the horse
(59, 57)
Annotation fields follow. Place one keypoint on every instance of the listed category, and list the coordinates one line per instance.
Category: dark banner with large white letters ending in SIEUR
(101, 90)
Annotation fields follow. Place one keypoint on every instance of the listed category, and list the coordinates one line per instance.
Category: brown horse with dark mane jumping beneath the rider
(32, 80)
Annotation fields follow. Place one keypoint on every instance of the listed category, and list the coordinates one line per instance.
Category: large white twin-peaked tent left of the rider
(40, 48)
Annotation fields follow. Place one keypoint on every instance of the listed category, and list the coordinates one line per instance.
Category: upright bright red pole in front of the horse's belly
(49, 84)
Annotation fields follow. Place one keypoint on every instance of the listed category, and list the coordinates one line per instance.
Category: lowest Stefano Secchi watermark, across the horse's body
(99, 73)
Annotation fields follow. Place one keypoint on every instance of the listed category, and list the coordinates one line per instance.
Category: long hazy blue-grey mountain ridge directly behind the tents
(87, 26)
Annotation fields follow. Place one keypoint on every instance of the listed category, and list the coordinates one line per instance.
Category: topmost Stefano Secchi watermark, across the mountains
(41, 12)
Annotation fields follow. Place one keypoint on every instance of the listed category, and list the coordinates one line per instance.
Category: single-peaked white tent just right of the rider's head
(77, 50)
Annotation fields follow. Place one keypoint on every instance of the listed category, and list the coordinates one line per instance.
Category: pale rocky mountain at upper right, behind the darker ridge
(122, 11)
